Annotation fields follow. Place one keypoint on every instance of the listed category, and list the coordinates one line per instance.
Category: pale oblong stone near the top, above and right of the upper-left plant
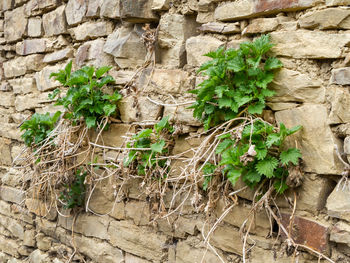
(91, 30)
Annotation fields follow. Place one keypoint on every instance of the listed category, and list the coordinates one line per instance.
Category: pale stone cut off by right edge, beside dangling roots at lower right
(338, 203)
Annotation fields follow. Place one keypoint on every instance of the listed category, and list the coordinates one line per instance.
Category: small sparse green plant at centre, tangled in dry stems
(147, 145)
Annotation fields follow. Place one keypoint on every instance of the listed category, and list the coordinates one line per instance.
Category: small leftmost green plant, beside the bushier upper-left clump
(38, 128)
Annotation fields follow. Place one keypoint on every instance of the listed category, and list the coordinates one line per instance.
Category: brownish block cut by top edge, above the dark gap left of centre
(137, 11)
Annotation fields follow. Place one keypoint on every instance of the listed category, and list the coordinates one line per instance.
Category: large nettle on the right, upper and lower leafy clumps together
(237, 84)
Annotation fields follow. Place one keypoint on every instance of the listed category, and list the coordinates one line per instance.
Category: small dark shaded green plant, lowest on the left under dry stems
(74, 193)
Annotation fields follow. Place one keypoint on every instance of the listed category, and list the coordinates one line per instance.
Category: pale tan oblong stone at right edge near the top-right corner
(326, 19)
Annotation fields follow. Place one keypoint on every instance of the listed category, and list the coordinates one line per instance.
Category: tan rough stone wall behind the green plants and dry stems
(312, 40)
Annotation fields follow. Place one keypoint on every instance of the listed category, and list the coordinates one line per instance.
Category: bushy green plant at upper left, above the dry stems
(85, 97)
